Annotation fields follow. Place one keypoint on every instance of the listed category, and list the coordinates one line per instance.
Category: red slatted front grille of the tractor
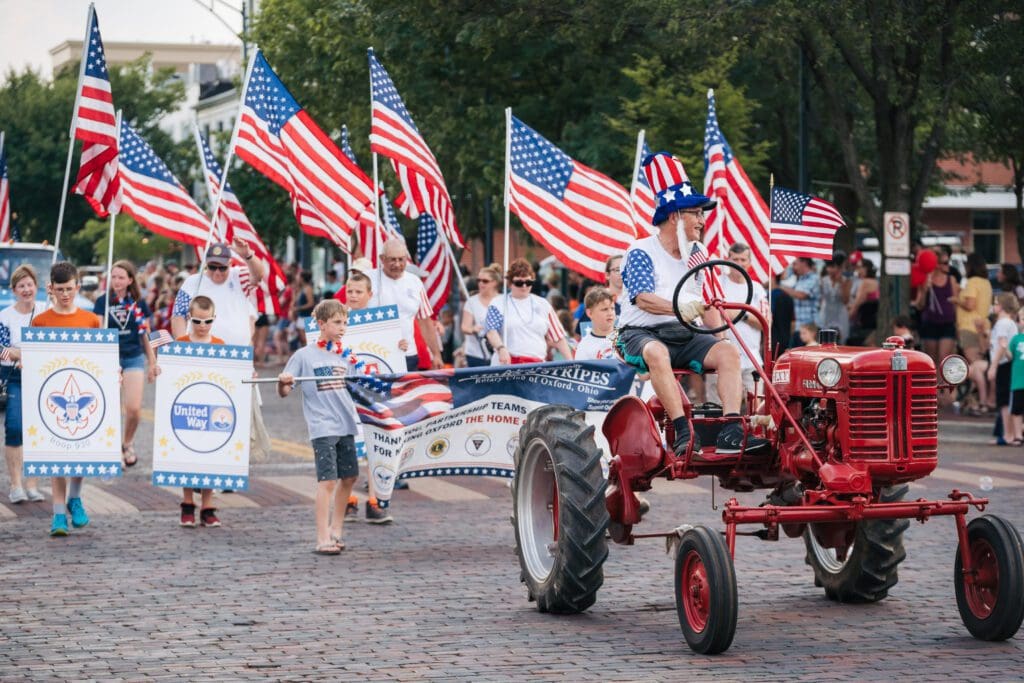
(893, 416)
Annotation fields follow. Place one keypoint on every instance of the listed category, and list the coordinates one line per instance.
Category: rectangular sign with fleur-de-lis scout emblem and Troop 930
(71, 406)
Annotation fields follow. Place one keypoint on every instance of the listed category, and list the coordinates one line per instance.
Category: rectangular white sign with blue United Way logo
(202, 416)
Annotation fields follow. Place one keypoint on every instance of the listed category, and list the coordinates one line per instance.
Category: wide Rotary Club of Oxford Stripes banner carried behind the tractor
(460, 422)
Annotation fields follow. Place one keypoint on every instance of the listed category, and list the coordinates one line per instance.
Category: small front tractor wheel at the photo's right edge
(993, 606)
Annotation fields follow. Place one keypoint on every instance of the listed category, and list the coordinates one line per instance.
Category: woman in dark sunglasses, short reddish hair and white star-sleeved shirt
(528, 322)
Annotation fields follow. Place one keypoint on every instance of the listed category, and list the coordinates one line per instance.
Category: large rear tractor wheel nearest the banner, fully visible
(559, 510)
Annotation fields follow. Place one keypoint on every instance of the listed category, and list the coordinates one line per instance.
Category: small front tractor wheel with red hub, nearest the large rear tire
(706, 591)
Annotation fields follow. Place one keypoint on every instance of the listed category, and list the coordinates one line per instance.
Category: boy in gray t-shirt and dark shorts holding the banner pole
(331, 418)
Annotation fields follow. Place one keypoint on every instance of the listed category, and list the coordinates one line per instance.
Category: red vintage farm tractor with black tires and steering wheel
(849, 428)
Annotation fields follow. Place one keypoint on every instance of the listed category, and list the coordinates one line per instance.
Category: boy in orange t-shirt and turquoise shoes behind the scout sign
(64, 289)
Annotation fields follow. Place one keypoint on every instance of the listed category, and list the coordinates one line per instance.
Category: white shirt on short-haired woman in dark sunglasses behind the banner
(531, 323)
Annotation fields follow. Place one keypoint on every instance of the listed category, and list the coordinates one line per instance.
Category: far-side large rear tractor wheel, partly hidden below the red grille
(868, 569)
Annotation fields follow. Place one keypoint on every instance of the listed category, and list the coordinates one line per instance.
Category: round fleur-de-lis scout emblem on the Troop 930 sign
(72, 405)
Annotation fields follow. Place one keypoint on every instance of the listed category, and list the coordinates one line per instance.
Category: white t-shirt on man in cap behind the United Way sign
(235, 315)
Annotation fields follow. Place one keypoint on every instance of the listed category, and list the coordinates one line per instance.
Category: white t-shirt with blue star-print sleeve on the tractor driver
(649, 269)
